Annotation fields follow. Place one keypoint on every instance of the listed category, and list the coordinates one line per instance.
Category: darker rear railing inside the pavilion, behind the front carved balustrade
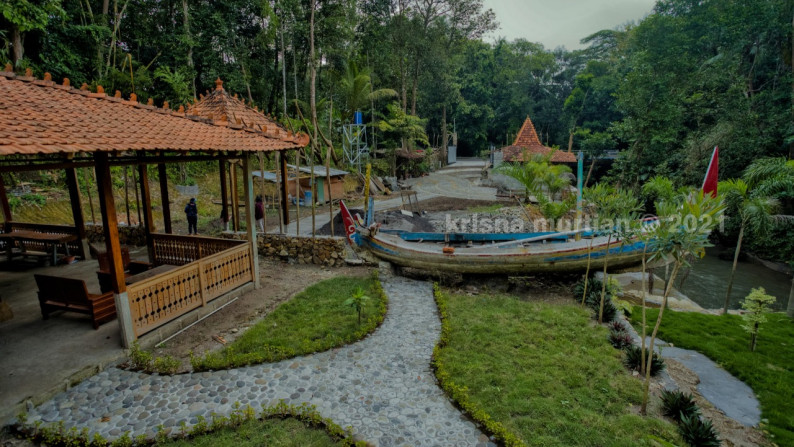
(181, 250)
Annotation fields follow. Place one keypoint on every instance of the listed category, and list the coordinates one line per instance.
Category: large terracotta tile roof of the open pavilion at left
(41, 117)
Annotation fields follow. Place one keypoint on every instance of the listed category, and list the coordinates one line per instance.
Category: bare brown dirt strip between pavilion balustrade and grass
(279, 281)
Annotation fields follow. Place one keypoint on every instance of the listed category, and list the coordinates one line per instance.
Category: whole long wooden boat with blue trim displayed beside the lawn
(527, 253)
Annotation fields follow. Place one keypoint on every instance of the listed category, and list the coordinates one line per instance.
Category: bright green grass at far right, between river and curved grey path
(769, 371)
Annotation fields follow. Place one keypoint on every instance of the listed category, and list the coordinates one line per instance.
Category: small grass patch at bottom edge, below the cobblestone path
(270, 432)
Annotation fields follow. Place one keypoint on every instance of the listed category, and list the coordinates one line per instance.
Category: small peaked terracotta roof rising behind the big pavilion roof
(219, 103)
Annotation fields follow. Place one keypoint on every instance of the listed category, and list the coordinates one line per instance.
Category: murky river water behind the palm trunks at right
(707, 282)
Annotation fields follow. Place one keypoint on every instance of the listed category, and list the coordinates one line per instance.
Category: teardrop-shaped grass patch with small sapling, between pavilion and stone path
(312, 321)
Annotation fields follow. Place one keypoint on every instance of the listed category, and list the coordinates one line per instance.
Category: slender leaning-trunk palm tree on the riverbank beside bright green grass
(755, 213)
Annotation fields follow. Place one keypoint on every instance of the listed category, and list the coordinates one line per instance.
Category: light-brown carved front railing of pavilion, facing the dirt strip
(162, 298)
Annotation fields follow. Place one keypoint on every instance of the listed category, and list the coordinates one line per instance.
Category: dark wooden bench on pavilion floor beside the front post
(57, 293)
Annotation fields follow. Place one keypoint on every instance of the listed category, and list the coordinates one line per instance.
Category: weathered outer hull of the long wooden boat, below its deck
(535, 258)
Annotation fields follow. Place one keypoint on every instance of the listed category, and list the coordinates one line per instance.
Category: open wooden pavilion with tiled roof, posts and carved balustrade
(49, 126)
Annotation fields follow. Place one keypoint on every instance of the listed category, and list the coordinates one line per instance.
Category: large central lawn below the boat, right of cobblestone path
(545, 372)
